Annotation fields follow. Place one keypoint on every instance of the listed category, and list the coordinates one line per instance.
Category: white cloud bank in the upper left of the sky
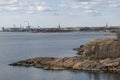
(28, 6)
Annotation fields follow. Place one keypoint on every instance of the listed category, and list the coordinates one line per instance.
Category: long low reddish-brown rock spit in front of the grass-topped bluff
(71, 63)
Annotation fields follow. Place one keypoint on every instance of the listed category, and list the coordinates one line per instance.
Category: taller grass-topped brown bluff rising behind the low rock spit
(100, 49)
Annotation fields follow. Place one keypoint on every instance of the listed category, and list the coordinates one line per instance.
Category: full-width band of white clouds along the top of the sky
(37, 6)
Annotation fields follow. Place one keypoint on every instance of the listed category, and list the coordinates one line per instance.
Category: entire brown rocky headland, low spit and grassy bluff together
(101, 55)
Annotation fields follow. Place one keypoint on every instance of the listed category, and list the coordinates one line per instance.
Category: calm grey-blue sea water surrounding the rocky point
(19, 46)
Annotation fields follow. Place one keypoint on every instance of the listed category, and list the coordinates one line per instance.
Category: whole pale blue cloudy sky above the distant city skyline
(67, 13)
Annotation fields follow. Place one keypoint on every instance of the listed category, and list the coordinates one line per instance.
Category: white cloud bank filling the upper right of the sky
(90, 6)
